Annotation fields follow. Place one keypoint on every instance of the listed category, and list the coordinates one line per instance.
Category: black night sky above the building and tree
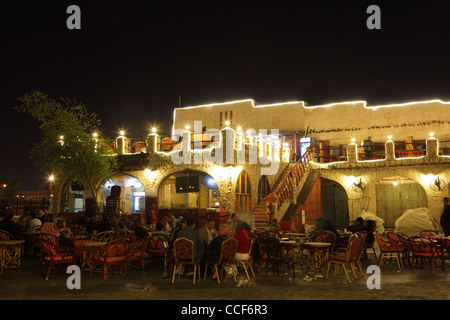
(132, 59)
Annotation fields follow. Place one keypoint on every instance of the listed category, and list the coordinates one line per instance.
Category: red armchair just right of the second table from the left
(113, 254)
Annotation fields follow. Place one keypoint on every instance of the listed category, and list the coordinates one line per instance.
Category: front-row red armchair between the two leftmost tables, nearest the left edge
(54, 254)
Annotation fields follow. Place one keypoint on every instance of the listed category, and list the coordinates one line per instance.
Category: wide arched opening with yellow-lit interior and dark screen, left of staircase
(188, 189)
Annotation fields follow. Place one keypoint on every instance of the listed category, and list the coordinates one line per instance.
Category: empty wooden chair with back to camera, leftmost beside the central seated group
(183, 253)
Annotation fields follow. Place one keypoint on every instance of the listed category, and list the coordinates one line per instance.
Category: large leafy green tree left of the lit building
(68, 145)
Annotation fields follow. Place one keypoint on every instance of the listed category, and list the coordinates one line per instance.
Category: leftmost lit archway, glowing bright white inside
(123, 193)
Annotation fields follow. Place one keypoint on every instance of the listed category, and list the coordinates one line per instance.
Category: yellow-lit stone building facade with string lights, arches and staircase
(236, 154)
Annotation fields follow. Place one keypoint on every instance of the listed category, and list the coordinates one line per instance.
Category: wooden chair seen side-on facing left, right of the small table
(346, 260)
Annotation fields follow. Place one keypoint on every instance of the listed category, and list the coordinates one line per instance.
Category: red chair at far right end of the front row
(423, 250)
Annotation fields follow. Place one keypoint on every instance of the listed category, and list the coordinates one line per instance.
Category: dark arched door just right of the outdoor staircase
(334, 203)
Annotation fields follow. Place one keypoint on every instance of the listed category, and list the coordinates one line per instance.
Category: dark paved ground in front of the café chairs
(28, 284)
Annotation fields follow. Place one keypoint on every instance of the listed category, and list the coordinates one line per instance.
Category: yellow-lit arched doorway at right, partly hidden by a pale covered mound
(395, 195)
